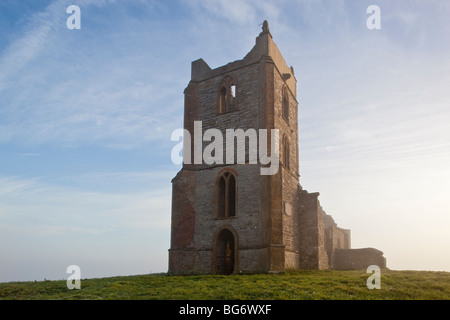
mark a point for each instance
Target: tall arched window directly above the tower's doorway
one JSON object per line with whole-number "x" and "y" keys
{"x": 226, "y": 195}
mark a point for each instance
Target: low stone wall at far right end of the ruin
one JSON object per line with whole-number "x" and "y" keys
{"x": 356, "y": 259}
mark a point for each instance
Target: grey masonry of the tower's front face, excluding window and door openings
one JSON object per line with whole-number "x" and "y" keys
{"x": 249, "y": 225}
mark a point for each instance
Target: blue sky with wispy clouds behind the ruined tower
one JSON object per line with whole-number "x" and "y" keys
{"x": 86, "y": 117}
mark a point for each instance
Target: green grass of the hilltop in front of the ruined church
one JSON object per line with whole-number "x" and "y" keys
{"x": 300, "y": 285}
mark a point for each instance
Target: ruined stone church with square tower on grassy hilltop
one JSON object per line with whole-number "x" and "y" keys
{"x": 229, "y": 218}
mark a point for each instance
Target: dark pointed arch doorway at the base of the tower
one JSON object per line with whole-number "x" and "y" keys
{"x": 225, "y": 253}
